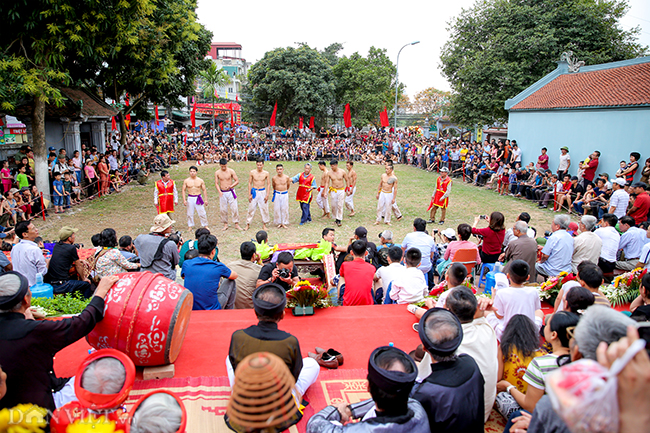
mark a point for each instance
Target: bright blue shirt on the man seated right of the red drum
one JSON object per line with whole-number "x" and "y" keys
{"x": 202, "y": 277}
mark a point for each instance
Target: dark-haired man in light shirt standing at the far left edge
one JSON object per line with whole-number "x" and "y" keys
{"x": 26, "y": 256}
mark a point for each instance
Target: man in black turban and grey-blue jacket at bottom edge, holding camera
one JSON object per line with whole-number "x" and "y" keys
{"x": 391, "y": 375}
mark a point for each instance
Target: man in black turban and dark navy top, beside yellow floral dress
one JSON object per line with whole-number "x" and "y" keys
{"x": 452, "y": 395}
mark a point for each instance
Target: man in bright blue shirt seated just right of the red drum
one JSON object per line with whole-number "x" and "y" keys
{"x": 203, "y": 277}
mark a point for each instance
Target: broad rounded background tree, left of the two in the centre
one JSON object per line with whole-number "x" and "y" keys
{"x": 299, "y": 79}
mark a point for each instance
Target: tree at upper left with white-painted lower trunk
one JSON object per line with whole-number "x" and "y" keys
{"x": 44, "y": 38}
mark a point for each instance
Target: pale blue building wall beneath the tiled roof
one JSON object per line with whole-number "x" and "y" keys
{"x": 613, "y": 132}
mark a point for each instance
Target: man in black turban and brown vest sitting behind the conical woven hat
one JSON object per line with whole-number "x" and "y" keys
{"x": 269, "y": 302}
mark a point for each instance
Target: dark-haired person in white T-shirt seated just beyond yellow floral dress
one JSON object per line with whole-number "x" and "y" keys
{"x": 516, "y": 299}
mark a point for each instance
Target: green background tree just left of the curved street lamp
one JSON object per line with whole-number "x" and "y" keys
{"x": 367, "y": 84}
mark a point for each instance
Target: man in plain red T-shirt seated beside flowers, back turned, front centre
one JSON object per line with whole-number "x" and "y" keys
{"x": 358, "y": 276}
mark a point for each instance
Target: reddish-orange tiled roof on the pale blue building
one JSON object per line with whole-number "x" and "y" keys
{"x": 616, "y": 87}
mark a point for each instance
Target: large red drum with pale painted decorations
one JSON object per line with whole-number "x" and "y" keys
{"x": 146, "y": 316}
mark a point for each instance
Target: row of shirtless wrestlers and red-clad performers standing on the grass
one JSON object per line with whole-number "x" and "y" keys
{"x": 333, "y": 193}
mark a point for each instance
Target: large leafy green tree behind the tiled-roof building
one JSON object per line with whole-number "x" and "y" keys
{"x": 500, "y": 47}
